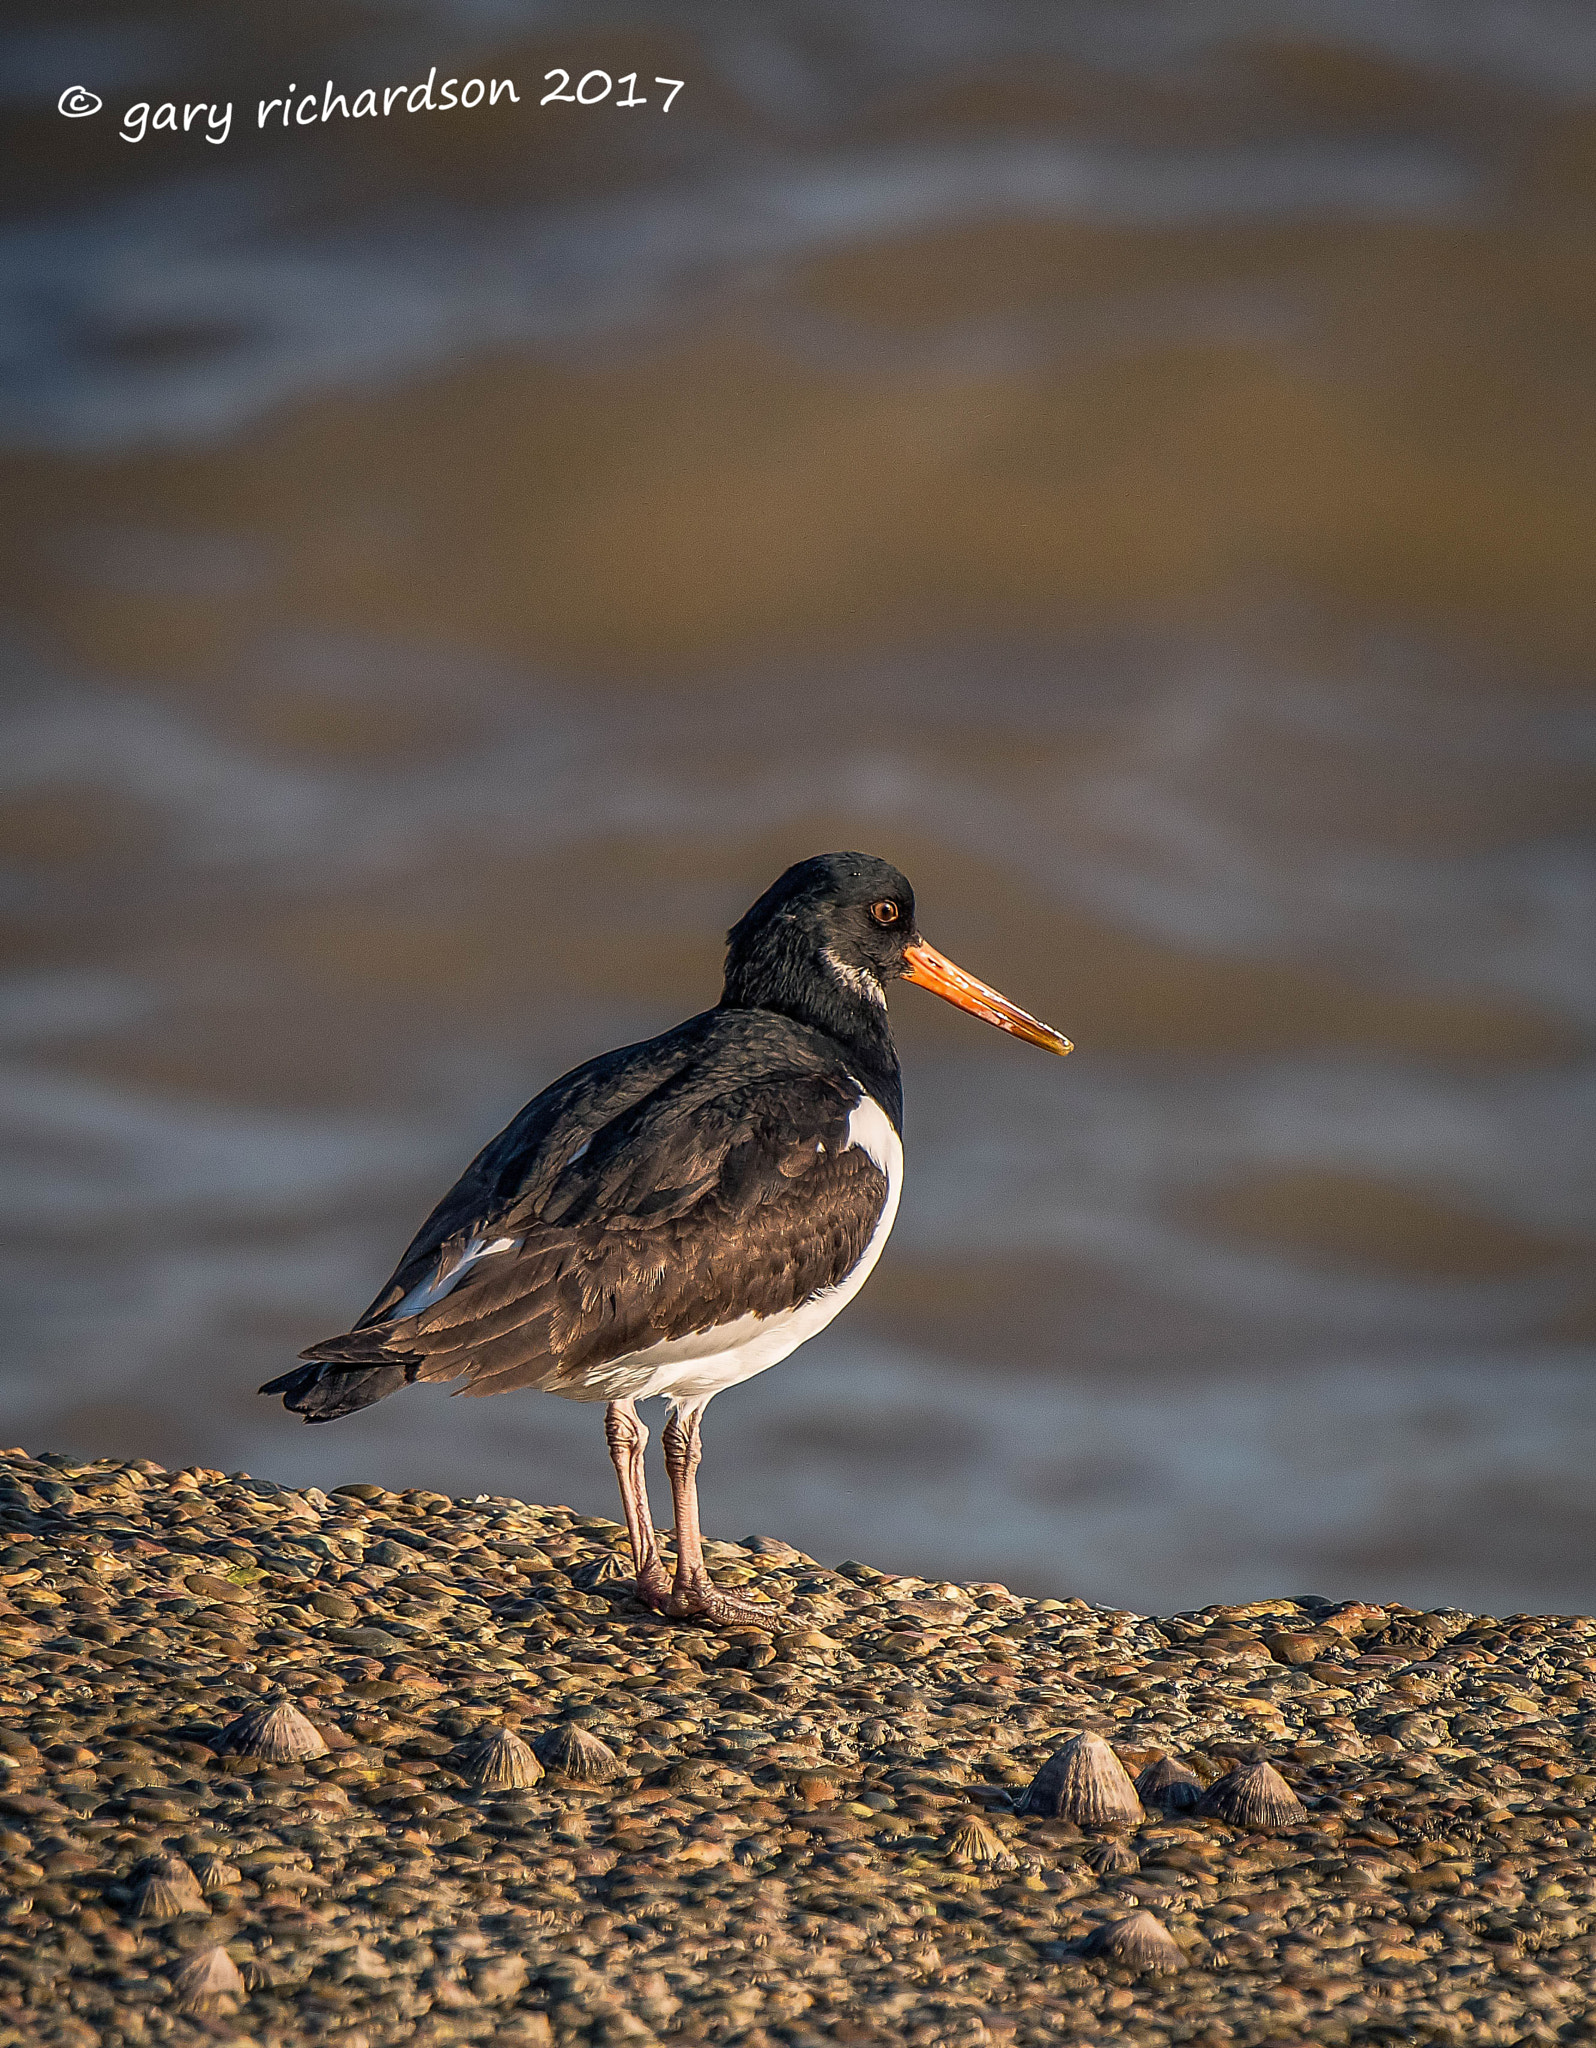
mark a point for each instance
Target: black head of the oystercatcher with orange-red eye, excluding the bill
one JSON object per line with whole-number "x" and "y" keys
{"x": 823, "y": 941}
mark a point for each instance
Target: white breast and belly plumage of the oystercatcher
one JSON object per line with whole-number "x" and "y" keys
{"x": 698, "y": 1367}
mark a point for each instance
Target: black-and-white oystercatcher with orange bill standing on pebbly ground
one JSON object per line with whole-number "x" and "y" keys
{"x": 675, "y": 1218}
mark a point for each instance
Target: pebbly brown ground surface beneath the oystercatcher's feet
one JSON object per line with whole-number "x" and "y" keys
{"x": 796, "y": 1838}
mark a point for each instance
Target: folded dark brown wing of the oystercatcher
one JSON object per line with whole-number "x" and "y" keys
{"x": 728, "y": 1189}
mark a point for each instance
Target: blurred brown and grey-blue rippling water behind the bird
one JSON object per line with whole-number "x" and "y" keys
{"x": 1130, "y": 464}
